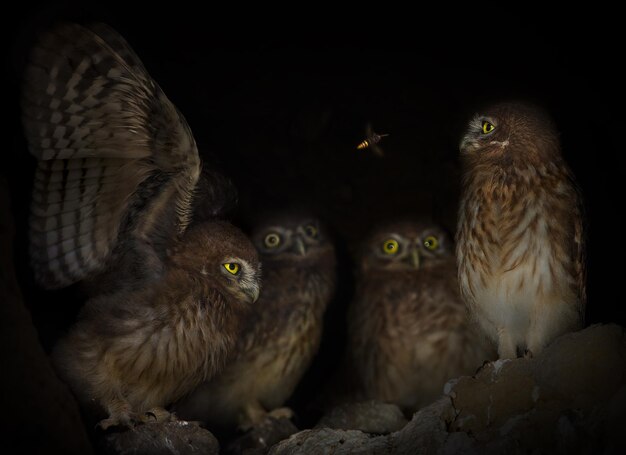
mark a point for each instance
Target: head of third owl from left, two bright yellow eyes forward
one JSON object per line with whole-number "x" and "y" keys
{"x": 406, "y": 246}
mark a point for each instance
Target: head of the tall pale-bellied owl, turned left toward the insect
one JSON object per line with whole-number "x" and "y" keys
{"x": 503, "y": 131}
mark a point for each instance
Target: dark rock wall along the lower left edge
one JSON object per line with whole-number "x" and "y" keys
{"x": 39, "y": 413}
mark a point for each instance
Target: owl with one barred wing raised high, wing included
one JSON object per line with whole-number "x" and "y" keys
{"x": 117, "y": 186}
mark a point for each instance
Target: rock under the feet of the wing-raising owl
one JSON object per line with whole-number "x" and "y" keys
{"x": 169, "y": 438}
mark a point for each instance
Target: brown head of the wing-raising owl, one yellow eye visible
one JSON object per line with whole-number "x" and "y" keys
{"x": 221, "y": 255}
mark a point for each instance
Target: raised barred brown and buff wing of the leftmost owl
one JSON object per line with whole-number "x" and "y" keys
{"x": 115, "y": 157}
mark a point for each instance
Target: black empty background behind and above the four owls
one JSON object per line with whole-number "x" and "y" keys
{"x": 280, "y": 105}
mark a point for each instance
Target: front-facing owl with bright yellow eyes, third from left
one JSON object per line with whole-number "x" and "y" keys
{"x": 408, "y": 328}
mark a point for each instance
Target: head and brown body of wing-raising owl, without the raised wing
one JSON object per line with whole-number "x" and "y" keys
{"x": 135, "y": 350}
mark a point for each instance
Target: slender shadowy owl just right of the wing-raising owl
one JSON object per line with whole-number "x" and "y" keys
{"x": 281, "y": 335}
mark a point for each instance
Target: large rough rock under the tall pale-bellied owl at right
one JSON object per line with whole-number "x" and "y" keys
{"x": 551, "y": 402}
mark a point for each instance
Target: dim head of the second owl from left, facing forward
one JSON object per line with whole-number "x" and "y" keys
{"x": 291, "y": 237}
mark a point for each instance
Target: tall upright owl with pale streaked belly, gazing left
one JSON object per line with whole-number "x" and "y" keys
{"x": 520, "y": 240}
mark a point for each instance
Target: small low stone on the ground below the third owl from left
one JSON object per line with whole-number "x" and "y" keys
{"x": 370, "y": 417}
